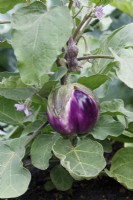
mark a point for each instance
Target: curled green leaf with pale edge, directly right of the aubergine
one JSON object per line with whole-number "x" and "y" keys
{"x": 115, "y": 107}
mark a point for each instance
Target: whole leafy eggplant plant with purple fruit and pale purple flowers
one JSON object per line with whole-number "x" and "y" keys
{"x": 56, "y": 108}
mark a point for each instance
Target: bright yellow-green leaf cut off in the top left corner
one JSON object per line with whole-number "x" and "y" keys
{"x": 6, "y": 5}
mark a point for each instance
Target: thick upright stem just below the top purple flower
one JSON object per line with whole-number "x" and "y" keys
{"x": 86, "y": 18}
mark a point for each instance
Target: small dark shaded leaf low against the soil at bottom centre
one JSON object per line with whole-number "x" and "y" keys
{"x": 61, "y": 178}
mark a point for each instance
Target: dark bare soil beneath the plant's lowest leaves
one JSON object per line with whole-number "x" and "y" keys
{"x": 102, "y": 188}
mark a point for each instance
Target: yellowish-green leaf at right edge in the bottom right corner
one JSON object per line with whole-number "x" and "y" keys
{"x": 122, "y": 167}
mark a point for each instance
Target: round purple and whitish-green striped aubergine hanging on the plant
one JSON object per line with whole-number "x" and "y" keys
{"x": 72, "y": 109}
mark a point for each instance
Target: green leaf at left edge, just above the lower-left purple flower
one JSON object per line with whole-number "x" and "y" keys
{"x": 13, "y": 88}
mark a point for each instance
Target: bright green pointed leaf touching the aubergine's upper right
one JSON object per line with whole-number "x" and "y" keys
{"x": 94, "y": 81}
